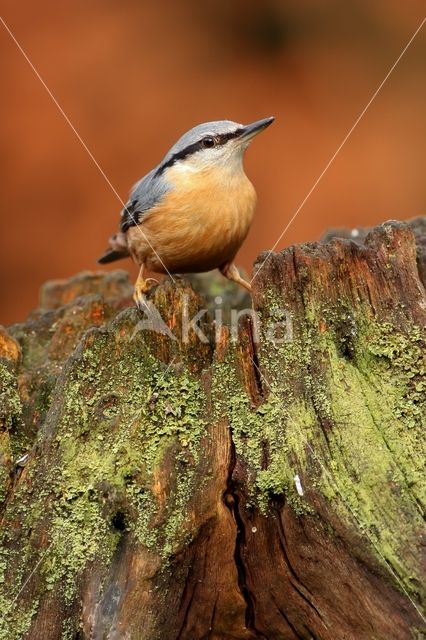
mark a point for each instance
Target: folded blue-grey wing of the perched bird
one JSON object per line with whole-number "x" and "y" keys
{"x": 144, "y": 195}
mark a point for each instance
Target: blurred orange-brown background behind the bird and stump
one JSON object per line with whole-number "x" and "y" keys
{"x": 133, "y": 76}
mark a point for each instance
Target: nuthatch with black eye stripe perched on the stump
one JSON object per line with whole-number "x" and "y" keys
{"x": 191, "y": 212}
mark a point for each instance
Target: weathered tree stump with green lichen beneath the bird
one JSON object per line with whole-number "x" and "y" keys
{"x": 158, "y": 487}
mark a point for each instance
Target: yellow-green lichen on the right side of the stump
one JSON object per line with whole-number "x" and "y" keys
{"x": 359, "y": 440}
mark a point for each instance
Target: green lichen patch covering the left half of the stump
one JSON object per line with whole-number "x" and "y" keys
{"x": 116, "y": 414}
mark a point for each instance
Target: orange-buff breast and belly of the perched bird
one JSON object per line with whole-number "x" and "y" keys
{"x": 199, "y": 225}
